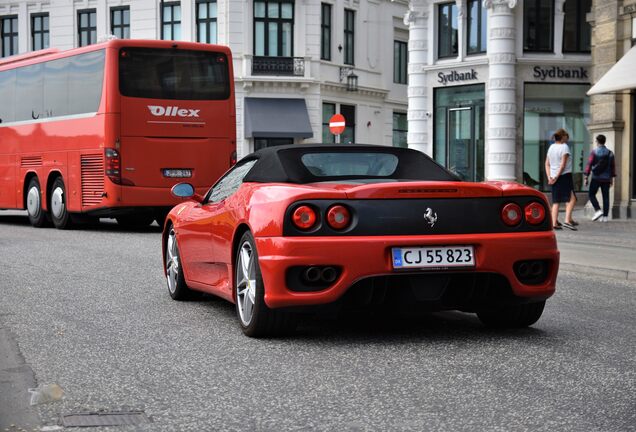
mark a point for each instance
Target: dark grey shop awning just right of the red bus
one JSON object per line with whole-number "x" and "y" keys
{"x": 276, "y": 118}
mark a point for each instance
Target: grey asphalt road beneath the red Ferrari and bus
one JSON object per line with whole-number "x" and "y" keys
{"x": 88, "y": 310}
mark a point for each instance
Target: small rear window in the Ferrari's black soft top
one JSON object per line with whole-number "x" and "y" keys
{"x": 350, "y": 164}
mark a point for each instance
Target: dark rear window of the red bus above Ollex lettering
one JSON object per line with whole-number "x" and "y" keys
{"x": 157, "y": 73}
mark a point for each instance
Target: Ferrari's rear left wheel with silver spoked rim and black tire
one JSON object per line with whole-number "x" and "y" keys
{"x": 262, "y": 321}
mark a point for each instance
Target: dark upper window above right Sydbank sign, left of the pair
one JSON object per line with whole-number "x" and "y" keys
{"x": 538, "y": 25}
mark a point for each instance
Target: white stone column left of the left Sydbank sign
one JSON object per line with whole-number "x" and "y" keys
{"x": 417, "y": 20}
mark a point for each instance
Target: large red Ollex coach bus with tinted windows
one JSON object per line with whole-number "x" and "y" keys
{"x": 107, "y": 130}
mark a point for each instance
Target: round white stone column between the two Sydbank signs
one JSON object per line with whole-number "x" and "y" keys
{"x": 501, "y": 110}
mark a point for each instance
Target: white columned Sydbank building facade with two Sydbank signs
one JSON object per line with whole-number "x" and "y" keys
{"x": 496, "y": 79}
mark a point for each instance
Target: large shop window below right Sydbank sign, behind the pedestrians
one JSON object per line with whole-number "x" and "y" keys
{"x": 548, "y": 107}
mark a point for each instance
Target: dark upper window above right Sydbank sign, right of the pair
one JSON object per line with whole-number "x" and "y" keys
{"x": 576, "y": 30}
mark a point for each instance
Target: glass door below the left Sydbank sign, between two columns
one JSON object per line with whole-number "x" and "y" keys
{"x": 461, "y": 143}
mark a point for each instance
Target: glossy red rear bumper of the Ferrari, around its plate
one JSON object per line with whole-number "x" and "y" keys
{"x": 364, "y": 257}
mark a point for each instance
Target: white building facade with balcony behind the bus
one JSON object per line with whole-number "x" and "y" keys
{"x": 293, "y": 60}
